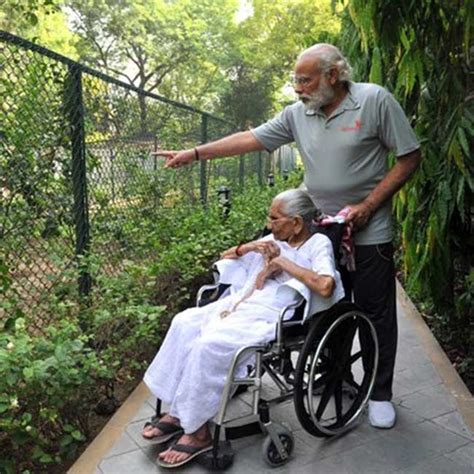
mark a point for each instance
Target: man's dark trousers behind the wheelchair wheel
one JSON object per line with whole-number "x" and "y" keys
{"x": 372, "y": 286}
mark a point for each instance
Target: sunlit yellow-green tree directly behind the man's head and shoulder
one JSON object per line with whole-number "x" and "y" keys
{"x": 265, "y": 49}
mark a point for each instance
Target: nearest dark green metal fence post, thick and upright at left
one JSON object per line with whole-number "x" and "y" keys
{"x": 75, "y": 114}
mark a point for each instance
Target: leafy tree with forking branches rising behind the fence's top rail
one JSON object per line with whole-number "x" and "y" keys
{"x": 156, "y": 45}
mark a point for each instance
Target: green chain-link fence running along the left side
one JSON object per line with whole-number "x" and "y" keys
{"x": 76, "y": 173}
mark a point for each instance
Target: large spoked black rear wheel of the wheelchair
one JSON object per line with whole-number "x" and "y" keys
{"x": 335, "y": 372}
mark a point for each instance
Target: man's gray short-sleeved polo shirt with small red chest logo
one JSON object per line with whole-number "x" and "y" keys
{"x": 345, "y": 155}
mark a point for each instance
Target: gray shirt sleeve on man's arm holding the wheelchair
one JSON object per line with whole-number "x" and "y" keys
{"x": 394, "y": 129}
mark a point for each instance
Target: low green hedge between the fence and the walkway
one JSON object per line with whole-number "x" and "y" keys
{"x": 51, "y": 382}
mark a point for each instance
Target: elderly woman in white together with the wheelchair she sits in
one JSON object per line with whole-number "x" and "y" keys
{"x": 208, "y": 349}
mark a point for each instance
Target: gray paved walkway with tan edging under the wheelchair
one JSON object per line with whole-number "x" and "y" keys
{"x": 431, "y": 436}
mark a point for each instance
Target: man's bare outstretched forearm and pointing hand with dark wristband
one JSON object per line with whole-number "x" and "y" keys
{"x": 236, "y": 144}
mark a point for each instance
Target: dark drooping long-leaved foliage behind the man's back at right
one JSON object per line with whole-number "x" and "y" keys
{"x": 434, "y": 209}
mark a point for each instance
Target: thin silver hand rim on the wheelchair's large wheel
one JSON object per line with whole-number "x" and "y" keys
{"x": 331, "y": 431}
